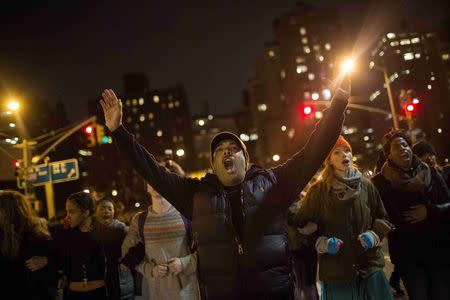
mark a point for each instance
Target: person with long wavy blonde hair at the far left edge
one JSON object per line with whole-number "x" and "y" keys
{"x": 23, "y": 248}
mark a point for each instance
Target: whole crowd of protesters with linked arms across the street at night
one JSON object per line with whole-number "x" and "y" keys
{"x": 244, "y": 232}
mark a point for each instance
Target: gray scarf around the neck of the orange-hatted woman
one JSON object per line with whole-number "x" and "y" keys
{"x": 347, "y": 187}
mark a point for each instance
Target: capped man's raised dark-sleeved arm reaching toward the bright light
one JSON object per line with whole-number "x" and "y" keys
{"x": 295, "y": 173}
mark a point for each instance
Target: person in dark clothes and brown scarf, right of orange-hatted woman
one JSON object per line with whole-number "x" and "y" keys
{"x": 418, "y": 206}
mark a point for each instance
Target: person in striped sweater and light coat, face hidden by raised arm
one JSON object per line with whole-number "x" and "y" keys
{"x": 169, "y": 267}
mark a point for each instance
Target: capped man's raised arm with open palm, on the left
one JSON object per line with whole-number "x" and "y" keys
{"x": 177, "y": 190}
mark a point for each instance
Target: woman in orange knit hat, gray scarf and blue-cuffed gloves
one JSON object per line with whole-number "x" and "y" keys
{"x": 351, "y": 223}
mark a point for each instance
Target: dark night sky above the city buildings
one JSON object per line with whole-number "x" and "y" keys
{"x": 70, "y": 50}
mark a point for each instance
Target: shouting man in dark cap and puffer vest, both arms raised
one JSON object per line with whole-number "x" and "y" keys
{"x": 237, "y": 212}
